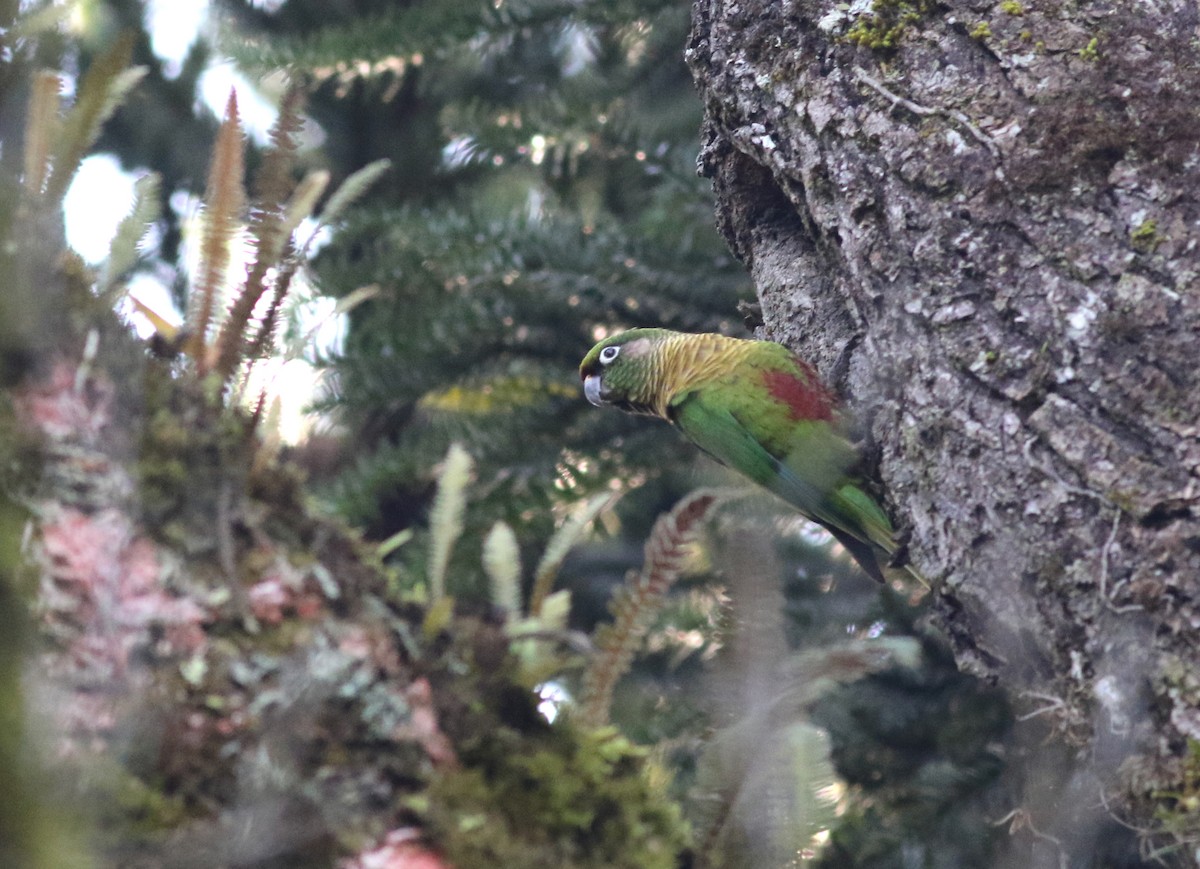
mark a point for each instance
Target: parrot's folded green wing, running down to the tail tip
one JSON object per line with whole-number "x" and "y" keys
{"x": 825, "y": 496}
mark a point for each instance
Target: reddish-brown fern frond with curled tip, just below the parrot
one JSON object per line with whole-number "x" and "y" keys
{"x": 635, "y": 604}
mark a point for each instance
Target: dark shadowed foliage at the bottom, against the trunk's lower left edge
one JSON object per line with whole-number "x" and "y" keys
{"x": 920, "y": 746}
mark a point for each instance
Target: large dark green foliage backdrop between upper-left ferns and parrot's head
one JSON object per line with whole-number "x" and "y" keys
{"x": 544, "y": 189}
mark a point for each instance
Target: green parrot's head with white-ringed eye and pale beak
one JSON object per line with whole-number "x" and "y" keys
{"x": 620, "y": 370}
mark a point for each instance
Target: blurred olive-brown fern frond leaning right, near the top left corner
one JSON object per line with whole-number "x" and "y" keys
{"x": 103, "y": 89}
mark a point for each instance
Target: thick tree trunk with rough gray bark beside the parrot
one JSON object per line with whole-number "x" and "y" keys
{"x": 987, "y": 236}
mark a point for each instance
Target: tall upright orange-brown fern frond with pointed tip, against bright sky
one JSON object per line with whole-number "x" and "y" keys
{"x": 224, "y": 200}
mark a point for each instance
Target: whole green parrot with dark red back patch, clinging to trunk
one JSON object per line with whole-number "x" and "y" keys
{"x": 757, "y": 407}
